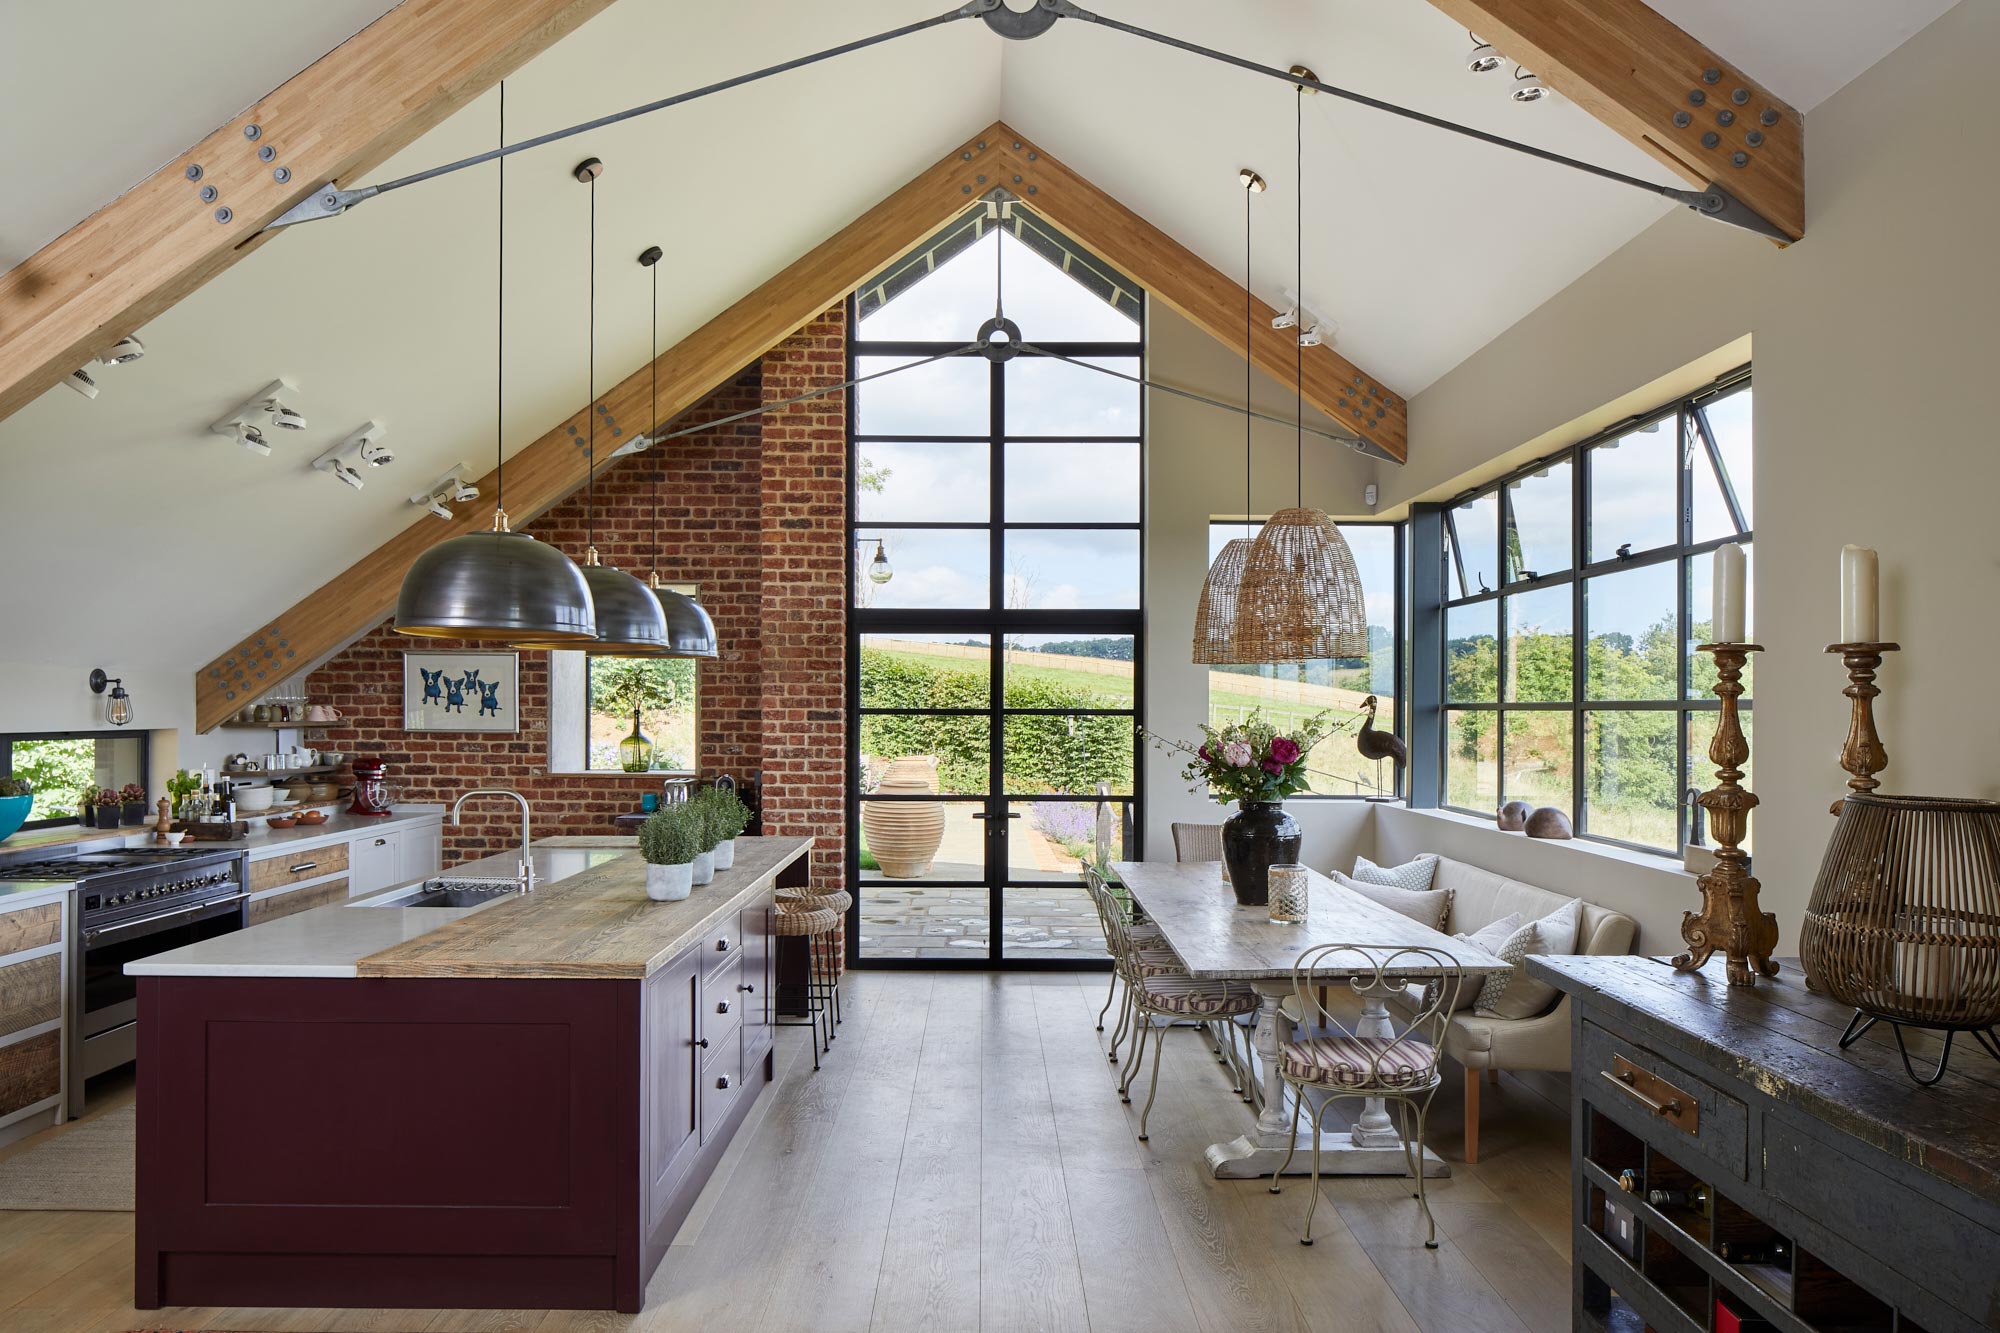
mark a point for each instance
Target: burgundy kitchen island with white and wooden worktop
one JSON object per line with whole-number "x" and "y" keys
{"x": 511, "y": 1106}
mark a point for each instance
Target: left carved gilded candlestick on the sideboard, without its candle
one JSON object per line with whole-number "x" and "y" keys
{"x": 1731, "y": 918}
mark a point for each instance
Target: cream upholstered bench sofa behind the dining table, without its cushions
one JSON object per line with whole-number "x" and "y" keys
{"x": 1487, "y": 1042}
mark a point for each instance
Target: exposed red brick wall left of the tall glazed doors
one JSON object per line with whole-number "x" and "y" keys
{"x": 767, "y": 551}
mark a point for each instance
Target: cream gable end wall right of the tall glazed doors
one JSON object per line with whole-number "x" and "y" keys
{"x": 1195, "y": 471}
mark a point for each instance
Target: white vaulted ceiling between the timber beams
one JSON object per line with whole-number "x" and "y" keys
{"x": 1419, "y": 249}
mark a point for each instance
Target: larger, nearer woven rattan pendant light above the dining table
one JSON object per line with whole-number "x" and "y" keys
{"x": 1301, "y": 595}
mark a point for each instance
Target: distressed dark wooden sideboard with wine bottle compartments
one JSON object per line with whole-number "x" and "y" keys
{"x": 1731, "y": 1164}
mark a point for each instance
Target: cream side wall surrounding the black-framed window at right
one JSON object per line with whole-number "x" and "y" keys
{"x": 1875, "y": 423}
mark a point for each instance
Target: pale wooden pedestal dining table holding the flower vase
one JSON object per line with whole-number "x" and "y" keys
{"x": 1219, "y": 940}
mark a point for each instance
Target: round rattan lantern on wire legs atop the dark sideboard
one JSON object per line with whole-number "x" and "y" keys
{"x": 1905, "y": 920}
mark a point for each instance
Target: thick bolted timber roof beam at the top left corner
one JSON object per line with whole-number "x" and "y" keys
{"x": 333, "y": 121}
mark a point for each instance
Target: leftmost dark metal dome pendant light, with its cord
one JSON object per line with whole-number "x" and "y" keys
{"x": 497, "y": 585}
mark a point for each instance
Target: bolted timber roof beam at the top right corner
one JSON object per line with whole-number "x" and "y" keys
{"x": 1663, "y": 91}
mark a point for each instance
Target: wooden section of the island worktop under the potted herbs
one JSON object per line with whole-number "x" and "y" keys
{"x": 597, "y": 924}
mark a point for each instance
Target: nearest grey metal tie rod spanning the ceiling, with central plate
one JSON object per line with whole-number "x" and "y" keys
{"x": 1025, "y": 25}
